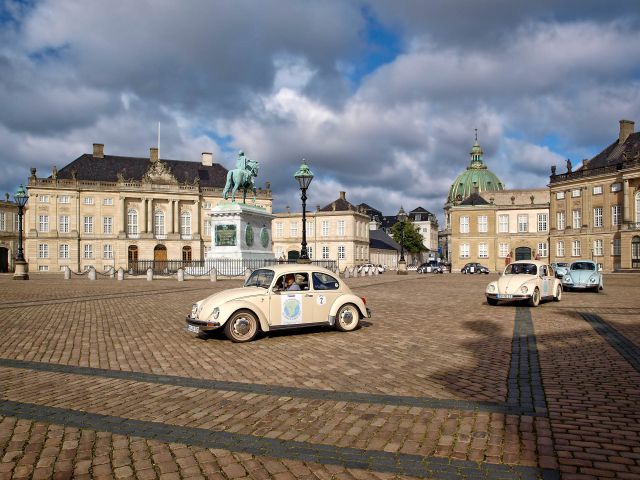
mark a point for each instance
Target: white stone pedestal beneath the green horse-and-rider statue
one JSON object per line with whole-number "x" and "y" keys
{"x": 240, "y": 232}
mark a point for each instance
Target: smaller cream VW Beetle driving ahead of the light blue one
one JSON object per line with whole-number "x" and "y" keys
{"x": 529, "y": 280}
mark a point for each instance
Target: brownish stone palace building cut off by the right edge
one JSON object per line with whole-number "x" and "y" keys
{"x": 595, "y": 209}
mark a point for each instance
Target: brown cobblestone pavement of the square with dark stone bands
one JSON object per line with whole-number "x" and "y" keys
{"x": 99, "y": 380}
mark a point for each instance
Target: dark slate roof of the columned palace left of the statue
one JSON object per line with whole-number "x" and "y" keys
{"x": 106, "y": 169}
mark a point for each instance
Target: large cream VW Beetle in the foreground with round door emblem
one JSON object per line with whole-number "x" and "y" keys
{"x": 279, "y": 297}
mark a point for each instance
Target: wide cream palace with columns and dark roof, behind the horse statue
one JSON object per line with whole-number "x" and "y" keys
{"x": 107, "y": 211}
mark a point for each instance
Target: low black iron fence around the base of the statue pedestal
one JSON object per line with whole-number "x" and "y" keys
{"x": 223, "y": 266}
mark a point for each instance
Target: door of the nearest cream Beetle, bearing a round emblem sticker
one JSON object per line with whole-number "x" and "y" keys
{"x": 291, "y": 307}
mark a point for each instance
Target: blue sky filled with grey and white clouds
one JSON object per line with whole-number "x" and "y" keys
{"x": 381, "y": 97}
